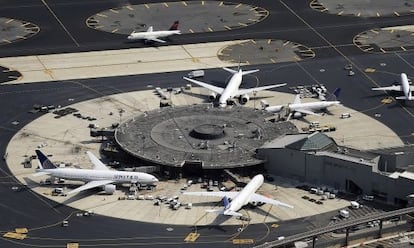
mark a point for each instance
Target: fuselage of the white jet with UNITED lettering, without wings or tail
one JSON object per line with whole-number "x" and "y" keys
{"x": 87, "y": 175}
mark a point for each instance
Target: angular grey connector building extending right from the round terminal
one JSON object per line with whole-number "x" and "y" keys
{"x": 386, "y": 174}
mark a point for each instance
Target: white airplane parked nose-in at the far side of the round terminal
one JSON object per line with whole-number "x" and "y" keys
{"x": 232, "y": 89}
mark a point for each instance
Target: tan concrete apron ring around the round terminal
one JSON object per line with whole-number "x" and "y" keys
{"x": 67, "y": 139}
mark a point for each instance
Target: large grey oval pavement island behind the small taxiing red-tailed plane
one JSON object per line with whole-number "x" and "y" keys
{"x": 193, "y": 16}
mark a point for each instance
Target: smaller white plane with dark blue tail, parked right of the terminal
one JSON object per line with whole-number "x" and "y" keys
{"x": 298, "y": 109}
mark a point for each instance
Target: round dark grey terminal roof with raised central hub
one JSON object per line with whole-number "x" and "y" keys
{"x": 214, "y": 138}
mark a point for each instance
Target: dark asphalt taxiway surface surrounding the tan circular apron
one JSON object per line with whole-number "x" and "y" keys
{"x": 63, "y": 29}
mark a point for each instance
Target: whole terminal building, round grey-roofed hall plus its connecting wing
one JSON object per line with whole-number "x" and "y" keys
{"x": 199, "y": 138}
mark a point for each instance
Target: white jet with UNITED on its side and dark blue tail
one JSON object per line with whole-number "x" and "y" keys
{"x": 99, "y": 176}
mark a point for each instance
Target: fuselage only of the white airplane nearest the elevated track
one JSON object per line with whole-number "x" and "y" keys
{"x": 244, "y": 196}
